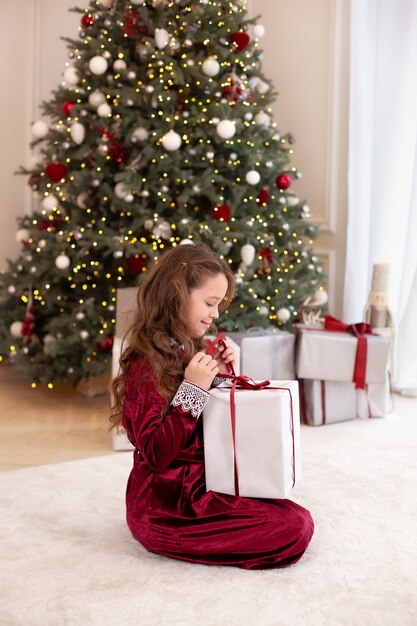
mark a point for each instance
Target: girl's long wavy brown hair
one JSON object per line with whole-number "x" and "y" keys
{"x": 159, "y": 332}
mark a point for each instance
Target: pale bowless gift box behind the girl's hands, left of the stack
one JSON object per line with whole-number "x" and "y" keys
{"x": 269, "y": 356}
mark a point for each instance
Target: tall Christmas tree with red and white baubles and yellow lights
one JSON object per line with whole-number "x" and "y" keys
{"x": 160, "y": 134}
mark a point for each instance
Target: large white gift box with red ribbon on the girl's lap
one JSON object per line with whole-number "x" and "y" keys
{"x": 267, "y": 440}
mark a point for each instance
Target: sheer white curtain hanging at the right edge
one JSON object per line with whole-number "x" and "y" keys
{"x": 382, "y": 222}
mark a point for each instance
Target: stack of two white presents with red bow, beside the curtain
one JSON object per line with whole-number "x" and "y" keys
{"x": 342, "y": 371}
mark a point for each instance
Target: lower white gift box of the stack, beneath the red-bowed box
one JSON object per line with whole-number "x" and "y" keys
{"x": 326, "y": 402}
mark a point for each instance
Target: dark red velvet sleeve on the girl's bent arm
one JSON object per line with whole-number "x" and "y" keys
{"x": 159, "y": 440}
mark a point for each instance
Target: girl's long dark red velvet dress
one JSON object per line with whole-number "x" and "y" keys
{"x": 168, "y": 509}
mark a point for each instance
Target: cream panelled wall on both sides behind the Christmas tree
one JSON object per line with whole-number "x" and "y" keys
{"x": 305, "y": 54}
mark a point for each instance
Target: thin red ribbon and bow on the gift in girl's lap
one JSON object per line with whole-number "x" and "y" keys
{"x": 245, "y": 382}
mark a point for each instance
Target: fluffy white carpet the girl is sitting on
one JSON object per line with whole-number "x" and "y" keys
{"x": 67, "y": 557}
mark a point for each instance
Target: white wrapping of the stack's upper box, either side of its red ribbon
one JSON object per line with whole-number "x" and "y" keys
{"x": 329, "y": 355}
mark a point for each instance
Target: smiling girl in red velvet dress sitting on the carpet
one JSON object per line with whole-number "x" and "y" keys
{"x": 163, "y": 386}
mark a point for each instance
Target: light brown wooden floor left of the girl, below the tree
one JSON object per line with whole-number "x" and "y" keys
{"x": 41, "y": 426}
